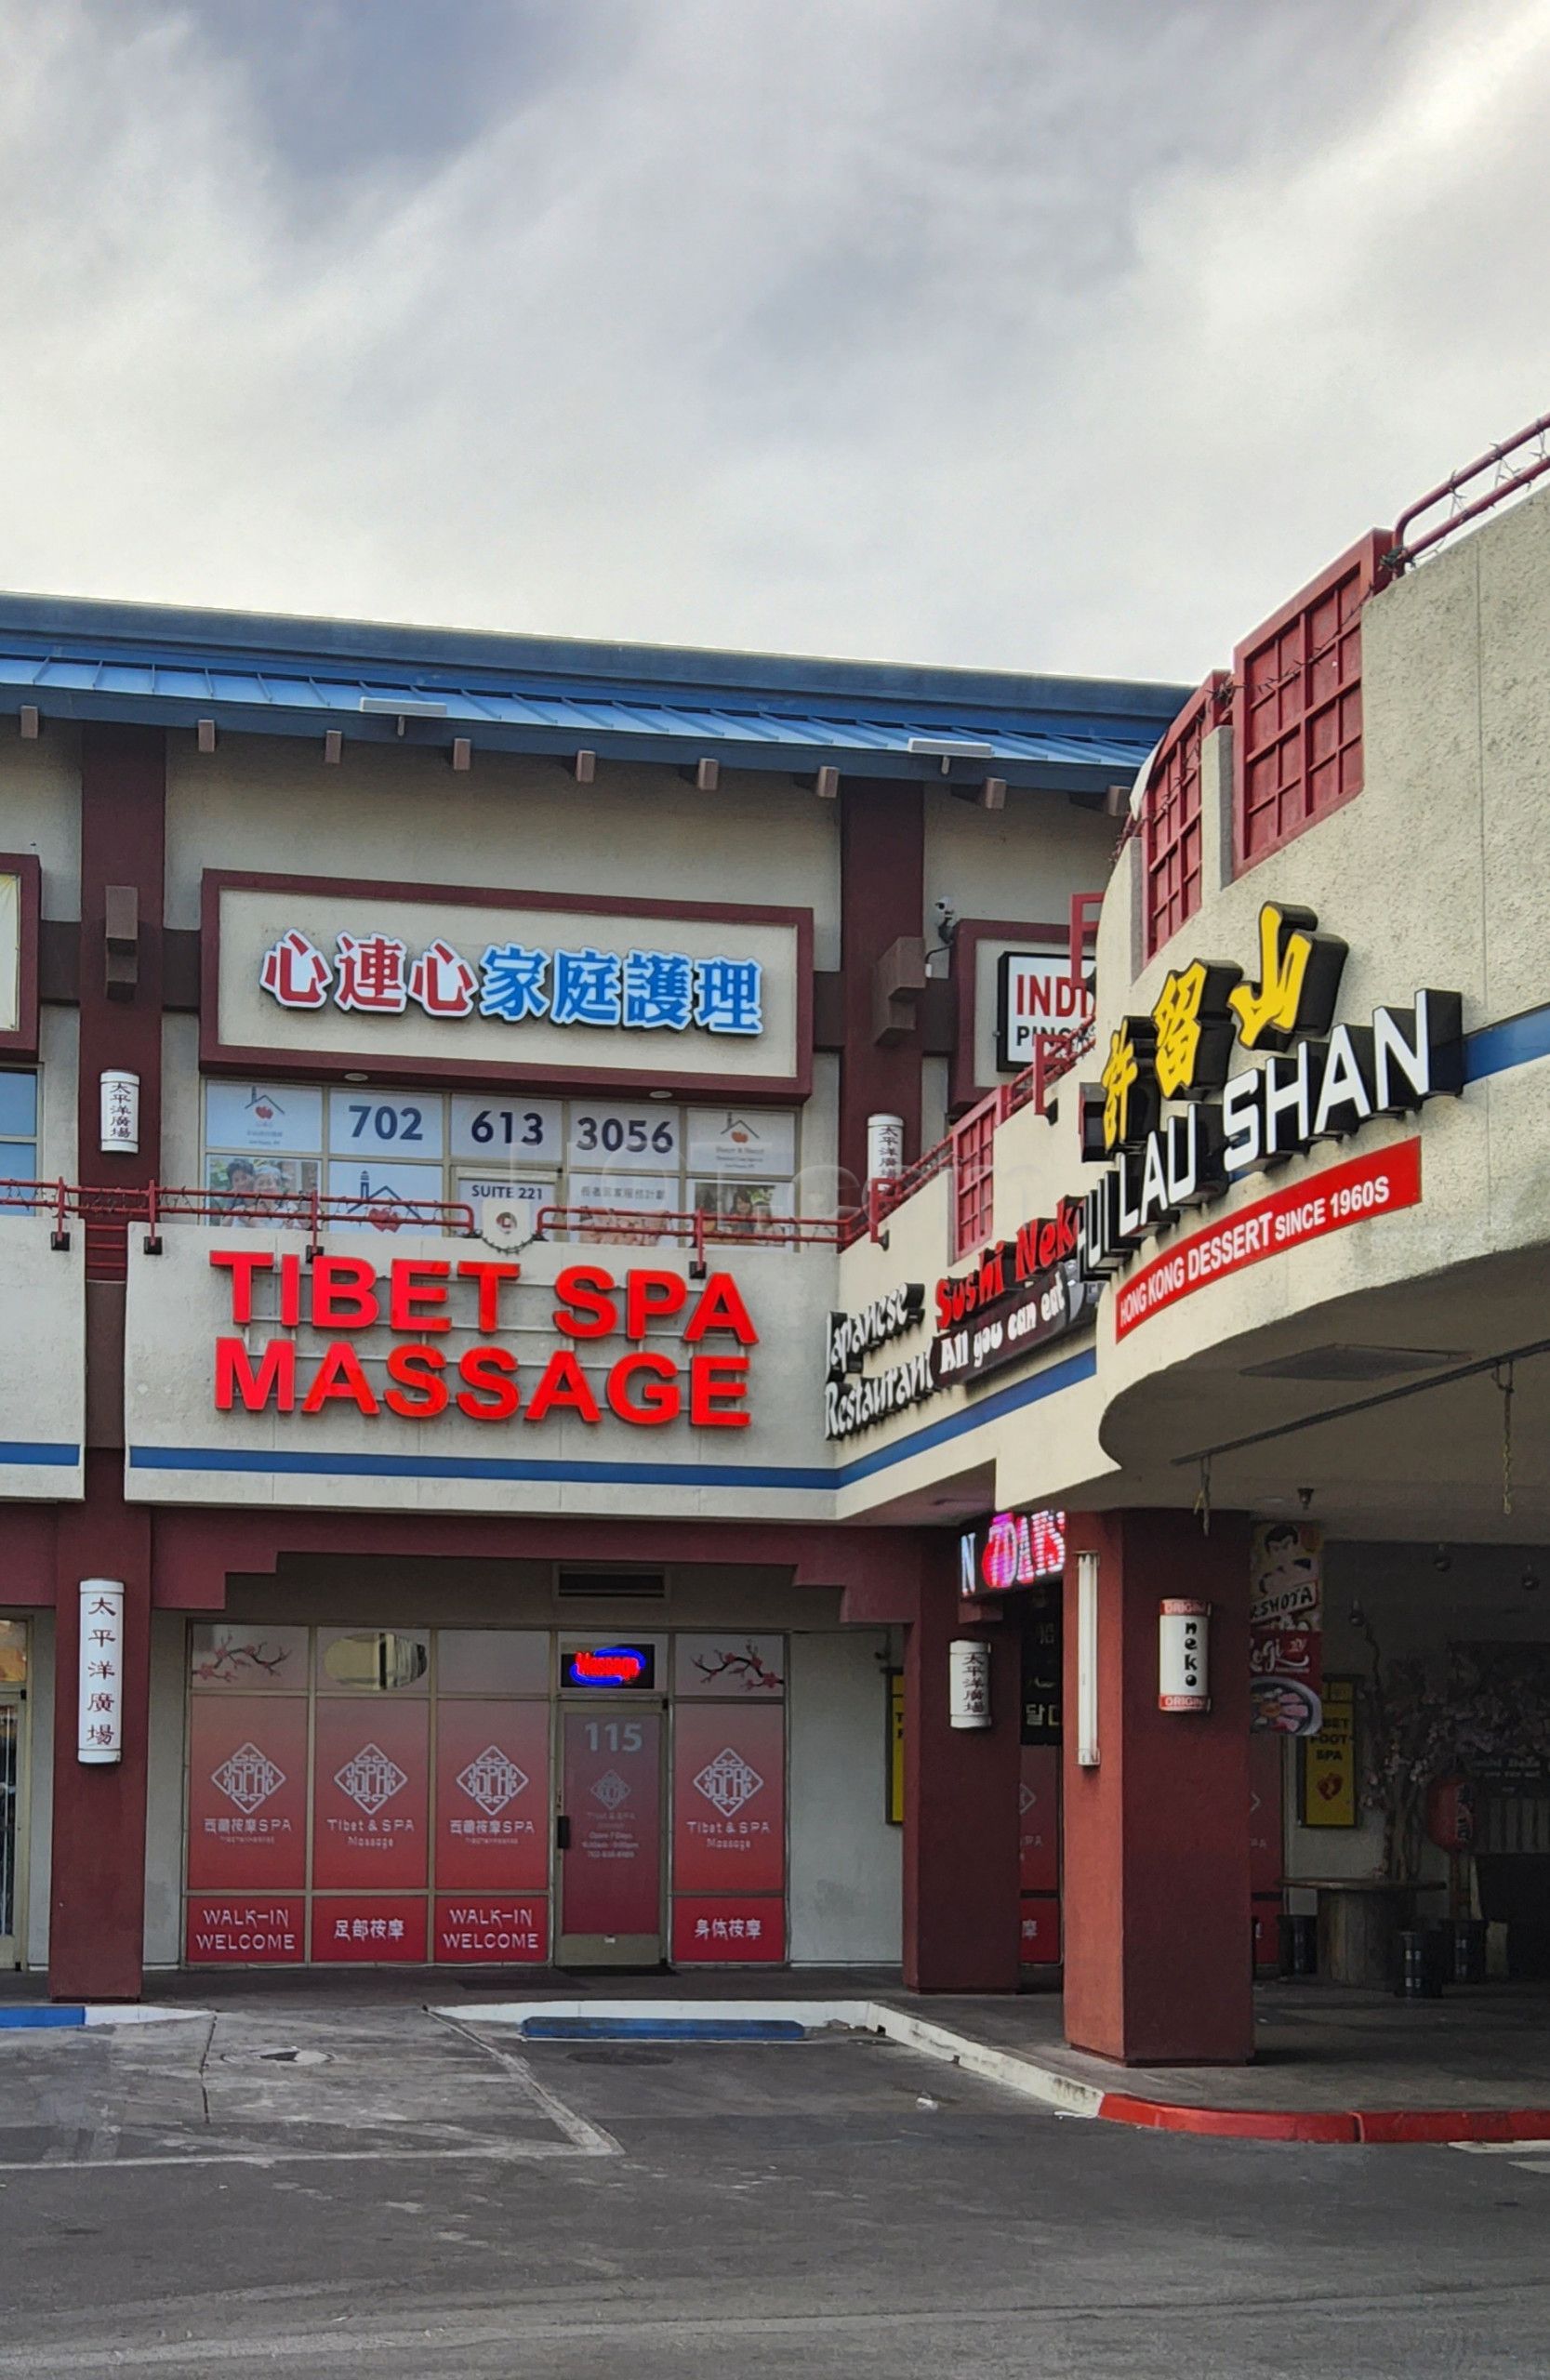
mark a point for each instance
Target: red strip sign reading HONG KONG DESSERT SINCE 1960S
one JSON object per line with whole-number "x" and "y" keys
{"x": 1308, "y": 1210}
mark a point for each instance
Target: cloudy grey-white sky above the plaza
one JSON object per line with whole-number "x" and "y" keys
{"x": 1037, "y": 334}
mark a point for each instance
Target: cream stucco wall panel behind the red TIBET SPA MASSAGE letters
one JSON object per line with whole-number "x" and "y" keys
{"x": 180, "y": 1305}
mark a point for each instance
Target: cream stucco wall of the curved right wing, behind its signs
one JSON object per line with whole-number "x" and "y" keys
{"x": 1435, "y": 877}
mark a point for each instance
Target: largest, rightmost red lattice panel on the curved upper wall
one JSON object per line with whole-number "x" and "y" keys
{"x": 1299, "y": 706}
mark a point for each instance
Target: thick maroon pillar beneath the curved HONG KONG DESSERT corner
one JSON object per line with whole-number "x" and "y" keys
{"x": 1156, "y": 1836}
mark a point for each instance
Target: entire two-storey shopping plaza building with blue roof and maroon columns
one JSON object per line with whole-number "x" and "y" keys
{"x": 689, "y": 1310}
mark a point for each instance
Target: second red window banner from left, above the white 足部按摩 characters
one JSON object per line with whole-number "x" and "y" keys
{"x": 370, "y": 1798}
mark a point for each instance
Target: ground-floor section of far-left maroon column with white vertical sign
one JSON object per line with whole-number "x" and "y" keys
{"x": 96, "y": 1919}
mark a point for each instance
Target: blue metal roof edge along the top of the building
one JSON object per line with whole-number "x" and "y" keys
{"x": 523, "y": 694}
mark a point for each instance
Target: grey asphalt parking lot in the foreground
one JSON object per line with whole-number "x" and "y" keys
{"x": 380, "y": 2191}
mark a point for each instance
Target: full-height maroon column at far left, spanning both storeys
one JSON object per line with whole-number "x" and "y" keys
{"x": 99, "y": 1834}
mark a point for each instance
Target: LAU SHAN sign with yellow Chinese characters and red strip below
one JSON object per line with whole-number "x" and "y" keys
{"x": 1320, "y": 1082}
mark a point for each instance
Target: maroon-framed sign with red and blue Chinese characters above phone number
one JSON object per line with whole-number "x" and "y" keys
{"x": 475, "y": 984}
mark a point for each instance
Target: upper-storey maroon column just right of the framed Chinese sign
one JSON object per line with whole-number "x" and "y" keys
{"x": 882, "y": 898}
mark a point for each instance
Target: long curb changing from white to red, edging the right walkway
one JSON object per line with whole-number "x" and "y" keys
{"x": 1027, "y": 2077}
